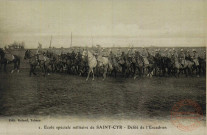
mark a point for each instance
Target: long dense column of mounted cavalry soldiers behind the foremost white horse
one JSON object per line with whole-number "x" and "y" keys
{"x": 129, "y": 63}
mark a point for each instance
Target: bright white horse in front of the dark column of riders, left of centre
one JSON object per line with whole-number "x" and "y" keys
{"x": 93, "y": 62}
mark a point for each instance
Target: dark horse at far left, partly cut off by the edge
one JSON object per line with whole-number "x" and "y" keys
{"x": 7, "y": 58}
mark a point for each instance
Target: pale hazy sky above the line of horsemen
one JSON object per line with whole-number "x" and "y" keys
{"x": 105, "y": 22}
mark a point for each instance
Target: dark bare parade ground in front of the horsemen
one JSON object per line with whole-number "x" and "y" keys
{"x": 61, "y": 94}
